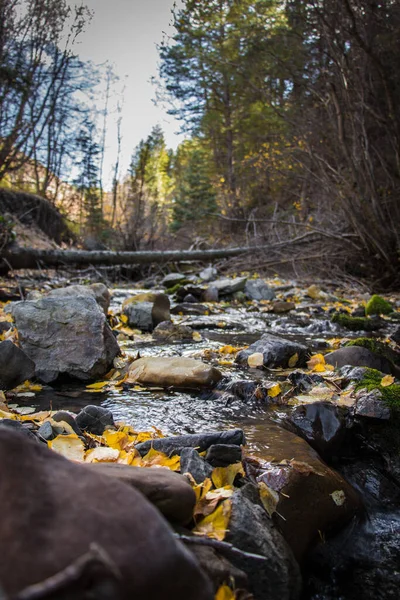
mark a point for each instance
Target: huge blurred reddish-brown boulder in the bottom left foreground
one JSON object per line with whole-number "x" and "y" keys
{"x": 53, "y": 511}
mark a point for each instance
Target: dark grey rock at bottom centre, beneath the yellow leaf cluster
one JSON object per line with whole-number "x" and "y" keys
{"x": 250, "y": 529}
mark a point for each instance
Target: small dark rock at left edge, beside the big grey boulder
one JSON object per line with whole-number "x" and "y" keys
{"x": 15, "y": 366}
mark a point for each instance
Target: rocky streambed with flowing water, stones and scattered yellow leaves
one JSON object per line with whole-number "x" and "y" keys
{"x": 302, "y": 380}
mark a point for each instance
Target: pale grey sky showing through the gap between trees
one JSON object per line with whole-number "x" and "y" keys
{"x": 125, "y": 33}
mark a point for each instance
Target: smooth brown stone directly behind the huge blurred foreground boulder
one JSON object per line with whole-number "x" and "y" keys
{"x": 169, "y": 492}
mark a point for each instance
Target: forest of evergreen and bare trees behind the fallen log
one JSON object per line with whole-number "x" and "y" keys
{"x": 292, "y": 131}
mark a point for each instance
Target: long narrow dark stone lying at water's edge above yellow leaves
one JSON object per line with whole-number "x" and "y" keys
{"x": 200, "y": 441}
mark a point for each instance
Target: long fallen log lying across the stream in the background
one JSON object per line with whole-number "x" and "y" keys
{"x": 30, "y": 258}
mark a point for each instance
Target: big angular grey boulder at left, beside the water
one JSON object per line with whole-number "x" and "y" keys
{"x": 67, "y": 335}
